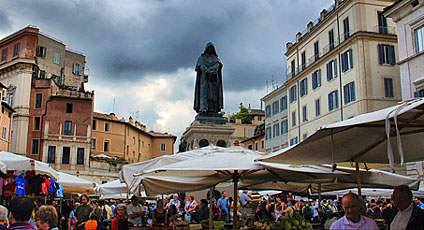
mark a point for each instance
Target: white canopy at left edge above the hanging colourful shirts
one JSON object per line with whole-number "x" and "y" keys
{"x": 18, "y": 162}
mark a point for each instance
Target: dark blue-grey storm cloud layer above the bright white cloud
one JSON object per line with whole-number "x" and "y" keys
{"x": 127, "y": 41}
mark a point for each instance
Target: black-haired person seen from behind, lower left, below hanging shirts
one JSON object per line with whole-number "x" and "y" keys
{"x": 20, "y": 211}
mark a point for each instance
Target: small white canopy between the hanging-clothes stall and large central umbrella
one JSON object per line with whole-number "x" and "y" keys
{"x": 74, "y": 184}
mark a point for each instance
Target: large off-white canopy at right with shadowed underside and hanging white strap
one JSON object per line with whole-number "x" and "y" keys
{"x": 364, "y": 138}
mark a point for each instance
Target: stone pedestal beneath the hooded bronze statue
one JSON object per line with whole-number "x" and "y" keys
{"x": 201, "y": 134}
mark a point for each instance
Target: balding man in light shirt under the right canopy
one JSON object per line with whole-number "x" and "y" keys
{"x": 353, "y": 219}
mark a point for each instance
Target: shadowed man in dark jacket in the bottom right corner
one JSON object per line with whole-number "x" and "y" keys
{"x": 408, "y": 216}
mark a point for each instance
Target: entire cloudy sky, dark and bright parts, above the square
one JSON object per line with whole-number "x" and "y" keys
{"x": 141, "y": 54}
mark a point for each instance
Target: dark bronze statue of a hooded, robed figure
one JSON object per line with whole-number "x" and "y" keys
{"x": 208, "y": 95}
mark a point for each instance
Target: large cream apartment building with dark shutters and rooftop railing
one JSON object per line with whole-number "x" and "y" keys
{"x": 342, "y": 65}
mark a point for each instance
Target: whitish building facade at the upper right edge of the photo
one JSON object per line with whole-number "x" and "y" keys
{"x": 409, "y": 18}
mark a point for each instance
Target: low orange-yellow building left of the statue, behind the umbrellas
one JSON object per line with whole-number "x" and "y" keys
{"x": 128, "y": 139}
